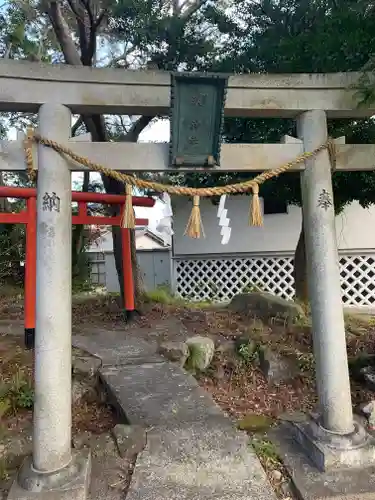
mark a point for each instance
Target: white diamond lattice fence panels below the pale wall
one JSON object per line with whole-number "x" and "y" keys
{"x": 220, "y": 279}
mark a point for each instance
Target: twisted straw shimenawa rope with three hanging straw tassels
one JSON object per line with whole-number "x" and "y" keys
{"x": 194, "y": 228}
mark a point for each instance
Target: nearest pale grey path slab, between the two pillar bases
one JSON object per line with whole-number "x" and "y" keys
{"x": 197, "y": 462}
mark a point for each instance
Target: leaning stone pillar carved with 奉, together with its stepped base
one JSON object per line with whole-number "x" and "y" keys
{"x": 332, "y": 438}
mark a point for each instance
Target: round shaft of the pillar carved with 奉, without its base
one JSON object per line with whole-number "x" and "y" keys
{"x": 324, "y": 279}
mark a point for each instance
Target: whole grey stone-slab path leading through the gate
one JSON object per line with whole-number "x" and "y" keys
{"x": 193, "y": 452}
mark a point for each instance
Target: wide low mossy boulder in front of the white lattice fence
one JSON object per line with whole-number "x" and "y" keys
{"x": 267, "y": 307}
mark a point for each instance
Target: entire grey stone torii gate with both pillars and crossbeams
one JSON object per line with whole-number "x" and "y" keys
{"x": 333, "y": 438}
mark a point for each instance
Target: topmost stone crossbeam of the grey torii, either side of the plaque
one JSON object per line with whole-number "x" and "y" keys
{"x": 24, "y": 87}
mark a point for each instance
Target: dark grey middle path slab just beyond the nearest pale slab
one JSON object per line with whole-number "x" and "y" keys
{"x": 159, "y": 394}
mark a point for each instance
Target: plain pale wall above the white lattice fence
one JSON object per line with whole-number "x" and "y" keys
{"x": 279, "y": 233}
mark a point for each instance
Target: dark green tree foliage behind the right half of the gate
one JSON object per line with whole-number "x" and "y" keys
{"x": 308, "y": 37}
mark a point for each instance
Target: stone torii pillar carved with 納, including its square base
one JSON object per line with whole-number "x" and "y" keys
{"x": 53, "y": 472}
